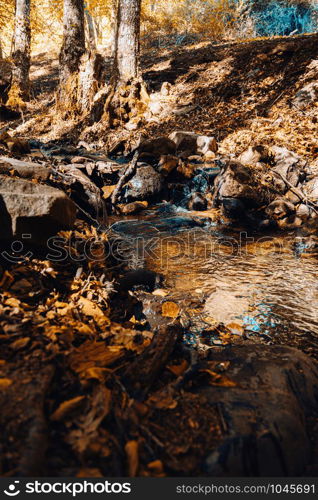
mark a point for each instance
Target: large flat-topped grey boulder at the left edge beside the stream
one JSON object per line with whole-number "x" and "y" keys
{"x": 32, "y": 211}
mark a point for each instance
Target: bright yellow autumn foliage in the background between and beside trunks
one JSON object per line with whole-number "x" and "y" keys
{"x": 162, "y": 22}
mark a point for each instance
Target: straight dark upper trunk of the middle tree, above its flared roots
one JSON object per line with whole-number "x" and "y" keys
{"x": 73, "y": 39}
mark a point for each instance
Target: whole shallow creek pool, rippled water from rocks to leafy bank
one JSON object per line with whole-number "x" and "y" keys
{"x": 263, "y": 285}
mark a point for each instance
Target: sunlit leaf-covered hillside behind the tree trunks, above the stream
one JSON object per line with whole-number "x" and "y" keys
{"x": 241, "y": 93}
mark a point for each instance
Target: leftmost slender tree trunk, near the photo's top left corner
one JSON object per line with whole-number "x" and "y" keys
{"x": 20, "y": 84}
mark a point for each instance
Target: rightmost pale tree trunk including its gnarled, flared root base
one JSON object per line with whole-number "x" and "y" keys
{"x": 124, "y": 102}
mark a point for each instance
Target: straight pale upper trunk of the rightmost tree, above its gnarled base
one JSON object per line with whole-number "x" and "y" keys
{"x": 128, "y": 39}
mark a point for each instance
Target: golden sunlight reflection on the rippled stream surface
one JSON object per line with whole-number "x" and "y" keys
{"x": 261, "y": 284}
